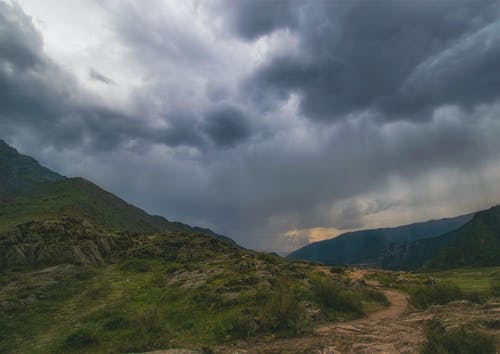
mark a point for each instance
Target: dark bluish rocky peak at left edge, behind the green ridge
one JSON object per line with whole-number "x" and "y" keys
{"x": 20, "y": 173}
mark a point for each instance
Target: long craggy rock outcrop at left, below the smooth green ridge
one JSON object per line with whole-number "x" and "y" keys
{"x": 70, "y": 240}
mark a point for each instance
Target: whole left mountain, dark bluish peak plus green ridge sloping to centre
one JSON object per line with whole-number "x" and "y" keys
{"x": 34, "y": 193}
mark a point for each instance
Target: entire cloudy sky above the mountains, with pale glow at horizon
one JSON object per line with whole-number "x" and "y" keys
{"x": 277, "y": 123}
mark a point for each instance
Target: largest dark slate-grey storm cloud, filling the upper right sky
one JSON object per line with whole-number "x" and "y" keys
{"x": 400, "y": 59}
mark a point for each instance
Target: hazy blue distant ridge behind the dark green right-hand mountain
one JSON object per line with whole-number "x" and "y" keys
{"x": 369, "y": 246}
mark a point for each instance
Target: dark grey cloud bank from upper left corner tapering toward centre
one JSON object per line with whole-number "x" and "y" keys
{"x": 37, "y": 94}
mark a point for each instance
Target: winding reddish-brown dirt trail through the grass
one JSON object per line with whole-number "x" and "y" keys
{"x": 383, "y": 331}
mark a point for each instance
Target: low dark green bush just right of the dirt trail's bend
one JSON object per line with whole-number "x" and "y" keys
{"x": 423, "y": 296}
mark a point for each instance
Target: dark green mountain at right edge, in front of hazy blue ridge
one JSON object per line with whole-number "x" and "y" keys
{"x": 475, "y": 244}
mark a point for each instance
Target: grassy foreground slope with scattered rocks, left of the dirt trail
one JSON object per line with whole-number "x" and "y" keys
{"x": 178, "y": 290}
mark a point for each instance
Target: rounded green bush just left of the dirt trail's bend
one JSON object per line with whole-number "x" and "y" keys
{"x": 330, "y": 296}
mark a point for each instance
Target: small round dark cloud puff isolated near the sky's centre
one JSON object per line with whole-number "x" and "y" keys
{"x": 227, "y": 126}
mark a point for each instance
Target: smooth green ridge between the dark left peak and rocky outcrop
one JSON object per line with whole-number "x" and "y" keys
{"x": 78, "y": 197}
